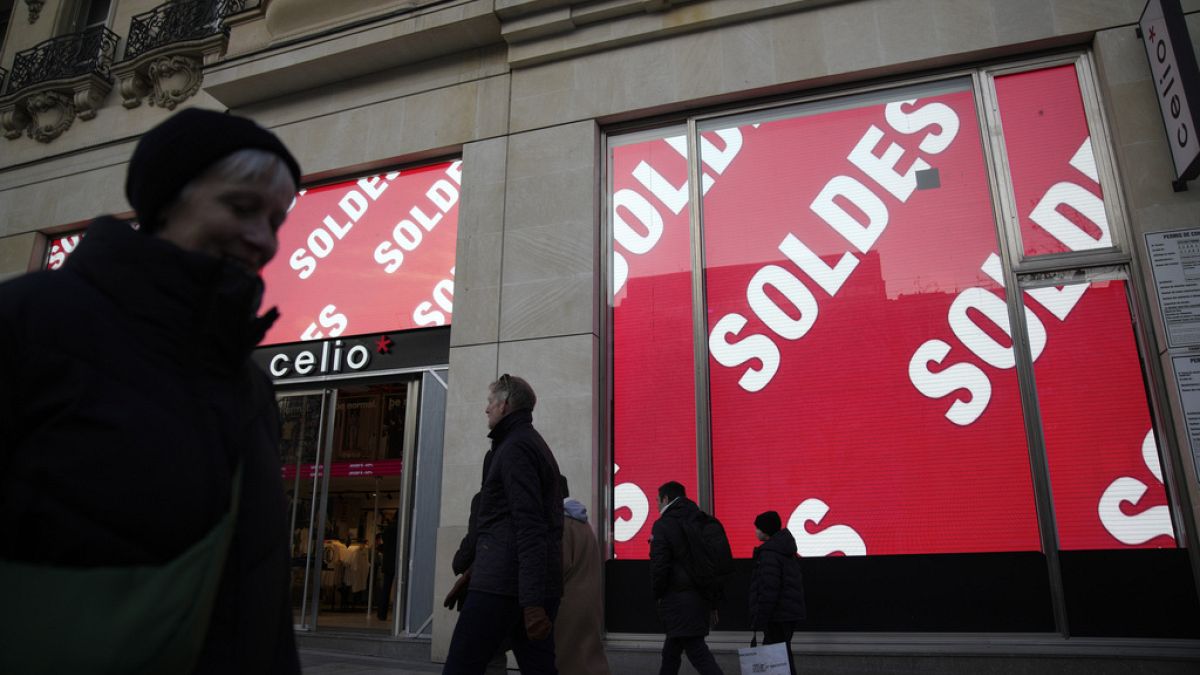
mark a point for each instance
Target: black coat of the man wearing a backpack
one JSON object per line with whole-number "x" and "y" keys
{"x": 683, "y": 610}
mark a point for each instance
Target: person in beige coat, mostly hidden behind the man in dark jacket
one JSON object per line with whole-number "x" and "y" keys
{"x": 579, "y": 649}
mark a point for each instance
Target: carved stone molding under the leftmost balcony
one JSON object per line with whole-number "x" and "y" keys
{"x": 45, "y": 111}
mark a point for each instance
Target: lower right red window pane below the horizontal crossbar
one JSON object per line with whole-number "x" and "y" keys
{"x": 1105, "y": 465}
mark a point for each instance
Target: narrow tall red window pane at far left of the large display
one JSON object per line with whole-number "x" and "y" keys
{"x": 653, "y": 373}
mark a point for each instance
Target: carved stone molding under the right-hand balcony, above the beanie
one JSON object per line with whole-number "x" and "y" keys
{"x": 169, "y": 75}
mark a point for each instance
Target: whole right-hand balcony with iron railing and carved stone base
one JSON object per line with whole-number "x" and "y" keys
{"x": 170, "y": 46}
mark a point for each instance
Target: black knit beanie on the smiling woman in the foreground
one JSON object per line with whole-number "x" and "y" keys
{"x": 182, "y": 148}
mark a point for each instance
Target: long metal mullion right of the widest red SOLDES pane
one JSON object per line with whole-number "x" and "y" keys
{"x": 1011, "y": 248}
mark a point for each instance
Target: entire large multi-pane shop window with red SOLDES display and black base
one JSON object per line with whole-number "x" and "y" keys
{"x": 861, "y": 373}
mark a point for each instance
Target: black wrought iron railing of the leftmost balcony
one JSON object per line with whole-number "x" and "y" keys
{"x": 68, "y": 56}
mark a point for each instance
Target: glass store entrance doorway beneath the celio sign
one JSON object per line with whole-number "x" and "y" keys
{"x": 345, "y": 455}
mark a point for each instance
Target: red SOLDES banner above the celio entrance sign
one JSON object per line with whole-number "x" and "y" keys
{"x": 368, "y": 256}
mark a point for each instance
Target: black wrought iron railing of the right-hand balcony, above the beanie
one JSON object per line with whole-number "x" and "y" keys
{"x": 179, "y": 21}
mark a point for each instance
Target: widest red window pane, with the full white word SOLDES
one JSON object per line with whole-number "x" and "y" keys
{"x": 862, "y": 377}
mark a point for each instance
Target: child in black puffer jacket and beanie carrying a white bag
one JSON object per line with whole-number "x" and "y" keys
{"x": 777, "y": 589}
